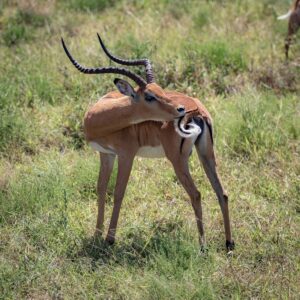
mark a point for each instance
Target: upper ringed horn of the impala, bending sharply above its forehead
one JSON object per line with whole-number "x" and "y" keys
{"x": 135, "y": 62}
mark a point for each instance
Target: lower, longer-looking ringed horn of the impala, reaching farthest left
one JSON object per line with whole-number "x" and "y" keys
{"x": 139, "y": 80}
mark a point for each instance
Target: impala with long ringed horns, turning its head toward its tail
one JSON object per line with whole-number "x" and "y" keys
{"x": 149, "y": 122}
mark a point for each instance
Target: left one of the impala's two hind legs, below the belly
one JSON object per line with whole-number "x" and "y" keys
{"x": 181, "y": 168}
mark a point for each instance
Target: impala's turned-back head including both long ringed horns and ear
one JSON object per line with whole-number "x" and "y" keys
{"x": 150, "y": 99}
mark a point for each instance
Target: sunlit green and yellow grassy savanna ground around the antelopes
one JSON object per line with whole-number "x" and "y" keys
{"x": 227, "y": 53}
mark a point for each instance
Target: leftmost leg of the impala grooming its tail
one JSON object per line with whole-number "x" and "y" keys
{"x": 106, "y": 167}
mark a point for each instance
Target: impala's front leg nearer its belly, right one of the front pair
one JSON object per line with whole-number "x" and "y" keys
{"x": 124, "y": 169}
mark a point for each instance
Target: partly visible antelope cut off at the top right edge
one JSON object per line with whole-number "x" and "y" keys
{"x": 294, "y": 24}
